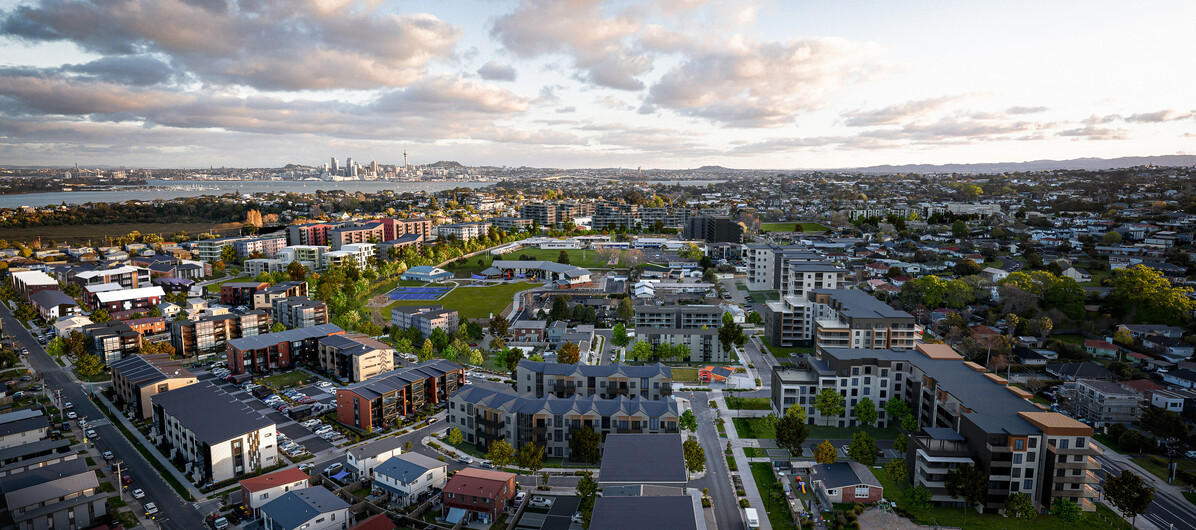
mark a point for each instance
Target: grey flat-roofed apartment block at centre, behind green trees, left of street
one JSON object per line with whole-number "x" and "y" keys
{"x": 694, "y": 326}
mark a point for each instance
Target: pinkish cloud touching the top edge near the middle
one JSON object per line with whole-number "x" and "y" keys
{"x": 601, "y": 46}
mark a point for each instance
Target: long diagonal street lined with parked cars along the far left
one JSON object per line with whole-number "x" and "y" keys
{"x": 175, "y": 513}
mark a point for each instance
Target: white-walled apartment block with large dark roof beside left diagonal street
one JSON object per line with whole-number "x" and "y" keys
{"x": 219, "y": 437}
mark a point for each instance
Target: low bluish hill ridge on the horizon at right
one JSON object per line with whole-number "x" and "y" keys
{"x": 1035, "y": 166}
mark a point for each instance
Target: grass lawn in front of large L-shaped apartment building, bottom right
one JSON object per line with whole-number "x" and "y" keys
{"x": 944, "y": 516}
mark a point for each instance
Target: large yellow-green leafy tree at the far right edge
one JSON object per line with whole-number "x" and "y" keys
{"x": 1149, "y": 296}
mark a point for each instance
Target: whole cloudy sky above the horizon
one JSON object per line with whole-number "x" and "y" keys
{"x": 672, "y": 84}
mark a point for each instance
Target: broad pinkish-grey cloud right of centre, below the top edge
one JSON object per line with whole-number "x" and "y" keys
{"x": 761, "y": 84}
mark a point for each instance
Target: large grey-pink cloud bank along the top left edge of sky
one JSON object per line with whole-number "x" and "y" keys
{"x": 271, "y": 45}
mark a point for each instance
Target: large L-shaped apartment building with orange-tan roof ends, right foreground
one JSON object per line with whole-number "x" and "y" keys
{"x": 965, "y": 416}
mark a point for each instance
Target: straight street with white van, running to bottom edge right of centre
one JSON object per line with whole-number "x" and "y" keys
{"x": 724, "y": 501}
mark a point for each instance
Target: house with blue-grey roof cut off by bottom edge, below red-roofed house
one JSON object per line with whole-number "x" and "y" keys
{"x": 309, "y": 509}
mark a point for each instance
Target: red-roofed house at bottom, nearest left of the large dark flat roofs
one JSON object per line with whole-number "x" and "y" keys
{"x": 478, "y": 495}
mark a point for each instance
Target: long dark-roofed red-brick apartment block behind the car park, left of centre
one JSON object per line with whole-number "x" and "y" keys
{"x": 277, "y": 351}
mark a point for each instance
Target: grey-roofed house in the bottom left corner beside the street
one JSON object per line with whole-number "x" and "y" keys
{"x": 65, "y": 495}
